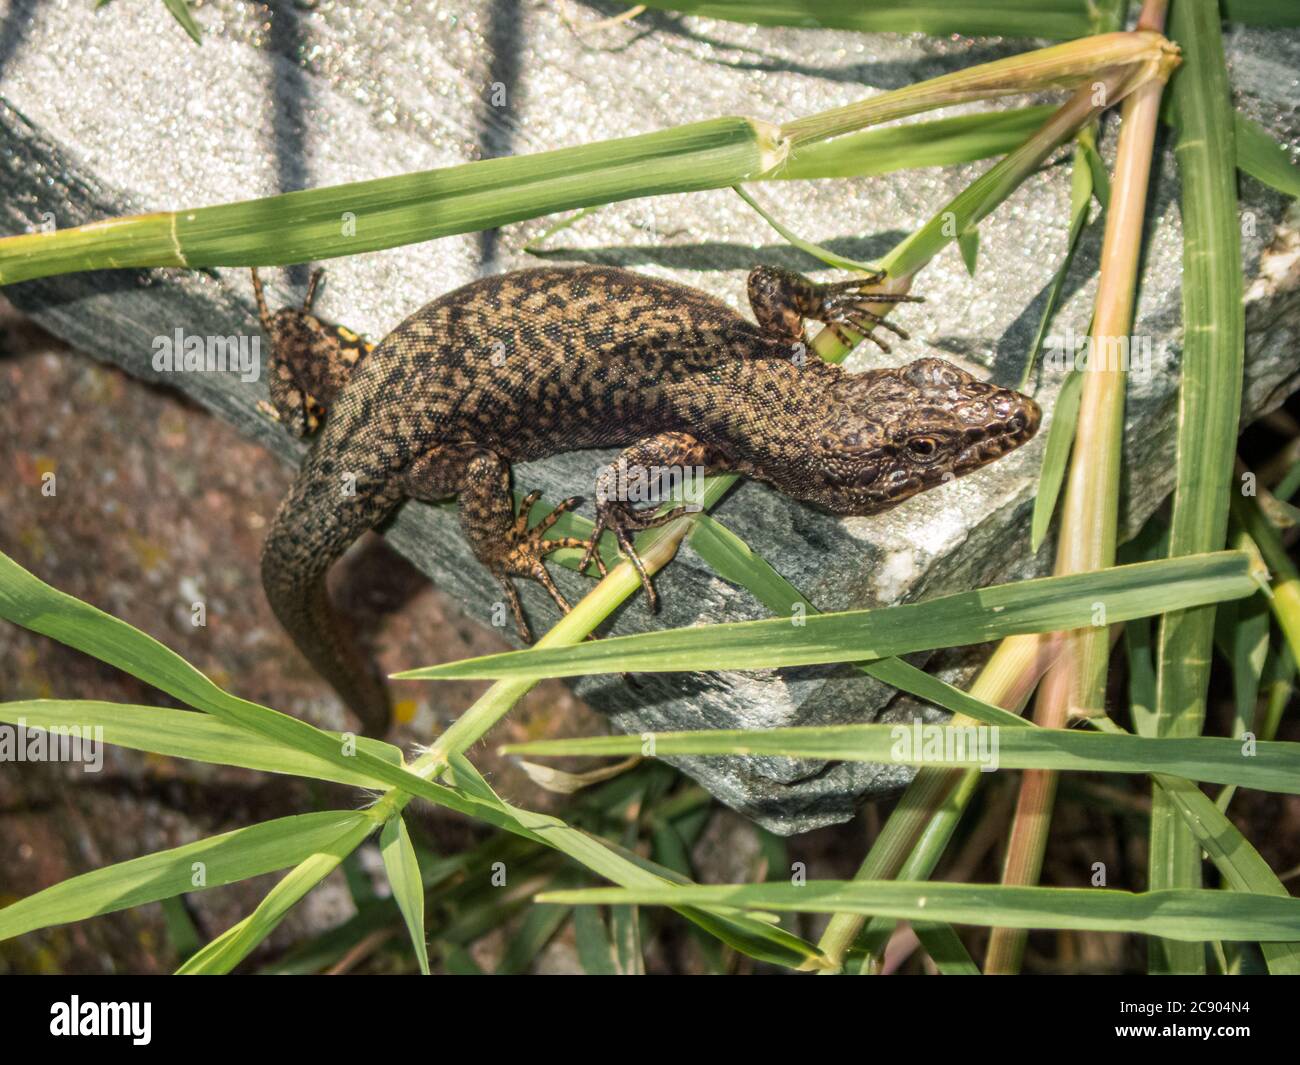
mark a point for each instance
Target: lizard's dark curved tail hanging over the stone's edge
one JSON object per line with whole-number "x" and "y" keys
{"x": 317, "y": 523}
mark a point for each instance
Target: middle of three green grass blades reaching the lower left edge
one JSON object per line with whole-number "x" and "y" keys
{"x": 185, "y": 734}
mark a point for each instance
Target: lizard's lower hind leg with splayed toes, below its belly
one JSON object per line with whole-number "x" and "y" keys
{"x": 501, "y": 539}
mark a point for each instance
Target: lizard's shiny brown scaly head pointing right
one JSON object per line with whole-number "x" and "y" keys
{"x": 896, "y": 432}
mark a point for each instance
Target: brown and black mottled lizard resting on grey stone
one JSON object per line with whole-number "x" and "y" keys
{"x": 536, "y": 362}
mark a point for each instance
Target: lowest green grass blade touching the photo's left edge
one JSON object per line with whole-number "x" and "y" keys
{"x": 196, "y": 867}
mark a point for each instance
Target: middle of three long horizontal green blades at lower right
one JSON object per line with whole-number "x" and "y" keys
{"x": 1272, "y": 767}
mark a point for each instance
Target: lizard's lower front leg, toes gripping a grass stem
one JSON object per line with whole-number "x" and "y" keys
{"x": 645, "y": 473}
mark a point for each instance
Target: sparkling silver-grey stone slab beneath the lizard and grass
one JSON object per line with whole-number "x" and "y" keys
{"x": 114, "y": 111}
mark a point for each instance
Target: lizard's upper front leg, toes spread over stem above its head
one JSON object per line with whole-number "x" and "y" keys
{"x": 782, "y": 300}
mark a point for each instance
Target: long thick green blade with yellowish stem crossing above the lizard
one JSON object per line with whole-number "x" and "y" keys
{"x": 387, "y": 213}
